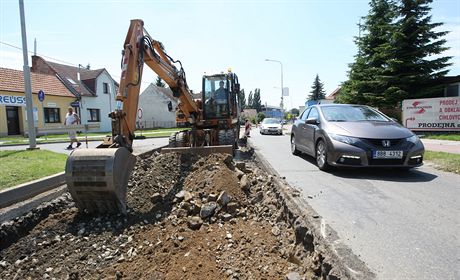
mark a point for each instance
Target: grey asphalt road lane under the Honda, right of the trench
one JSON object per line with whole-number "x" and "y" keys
{"x": 403, "y": 225}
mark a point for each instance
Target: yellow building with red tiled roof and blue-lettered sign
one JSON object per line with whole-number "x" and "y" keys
{"x": 49, "y": 113}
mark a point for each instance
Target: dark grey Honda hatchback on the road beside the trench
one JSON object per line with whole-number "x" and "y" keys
{"x": 354, "y": 136}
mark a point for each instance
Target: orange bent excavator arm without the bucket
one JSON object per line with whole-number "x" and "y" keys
{"x": 140, "y": 49}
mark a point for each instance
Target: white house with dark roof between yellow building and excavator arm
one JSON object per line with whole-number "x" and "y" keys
{"x": 94, "y": 90}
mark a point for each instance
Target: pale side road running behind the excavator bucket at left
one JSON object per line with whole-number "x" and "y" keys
{"x": 139, "y": 145}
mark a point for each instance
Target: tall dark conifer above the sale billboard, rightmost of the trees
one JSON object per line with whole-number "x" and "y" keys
{"x": 416, "y": 41}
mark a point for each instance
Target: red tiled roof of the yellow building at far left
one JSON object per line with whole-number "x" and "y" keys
{"x": 13, "y": 80}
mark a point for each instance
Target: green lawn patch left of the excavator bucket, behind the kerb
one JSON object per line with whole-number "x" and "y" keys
{"x": 20, "y": 166}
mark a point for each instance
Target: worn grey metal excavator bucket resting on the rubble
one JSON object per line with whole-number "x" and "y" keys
{"x": 97, "y": 178}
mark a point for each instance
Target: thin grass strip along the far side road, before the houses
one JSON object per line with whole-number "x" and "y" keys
{"x": 11, "y": 140}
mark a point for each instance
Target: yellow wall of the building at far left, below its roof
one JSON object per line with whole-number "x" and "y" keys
{"x": 59, "y": 102}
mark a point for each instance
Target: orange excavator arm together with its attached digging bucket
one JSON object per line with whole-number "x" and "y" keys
{"x": 97, "y": 178}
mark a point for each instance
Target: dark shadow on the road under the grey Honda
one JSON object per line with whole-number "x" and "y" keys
{"x": 385, "y": 174}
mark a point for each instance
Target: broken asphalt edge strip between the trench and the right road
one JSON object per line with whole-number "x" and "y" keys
{"x": 325, "y": 239}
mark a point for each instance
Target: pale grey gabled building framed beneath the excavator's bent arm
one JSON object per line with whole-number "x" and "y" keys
{"x": 157, "y": 108}
